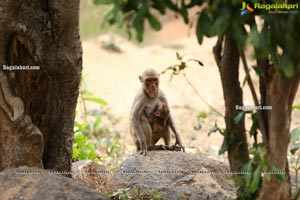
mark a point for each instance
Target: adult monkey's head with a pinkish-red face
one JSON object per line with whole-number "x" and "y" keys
{"x": 150, "y": 81}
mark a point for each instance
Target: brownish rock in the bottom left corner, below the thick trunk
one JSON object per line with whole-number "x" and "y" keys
{"x": 36, "y": 184}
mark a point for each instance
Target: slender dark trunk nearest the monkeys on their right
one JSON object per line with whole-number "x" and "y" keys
{"x": 229, "y": 70}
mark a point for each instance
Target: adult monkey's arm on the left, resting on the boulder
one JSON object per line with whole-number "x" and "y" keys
{"x": 135, "y": 120}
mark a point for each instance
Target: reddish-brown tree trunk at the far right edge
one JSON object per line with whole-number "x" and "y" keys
{"x": 281, "y": 92}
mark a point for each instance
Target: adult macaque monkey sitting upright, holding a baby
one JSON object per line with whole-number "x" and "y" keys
{"x": 146, "y": 101}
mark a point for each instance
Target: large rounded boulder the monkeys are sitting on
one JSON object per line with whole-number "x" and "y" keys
{"x": 173, "y": 175}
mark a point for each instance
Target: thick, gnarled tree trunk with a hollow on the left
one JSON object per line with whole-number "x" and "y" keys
{"x": 38, "y": 106}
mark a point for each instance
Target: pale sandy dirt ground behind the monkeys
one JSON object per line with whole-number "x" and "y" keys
{"x": 114, "y": 77}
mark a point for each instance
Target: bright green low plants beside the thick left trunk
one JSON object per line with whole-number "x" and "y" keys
{"x": 93, "y": 126}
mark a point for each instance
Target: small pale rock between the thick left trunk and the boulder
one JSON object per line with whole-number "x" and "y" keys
{"x": 90, "y": 173}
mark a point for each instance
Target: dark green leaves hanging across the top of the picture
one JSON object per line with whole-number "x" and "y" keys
{"x": 215, "y": 18}
